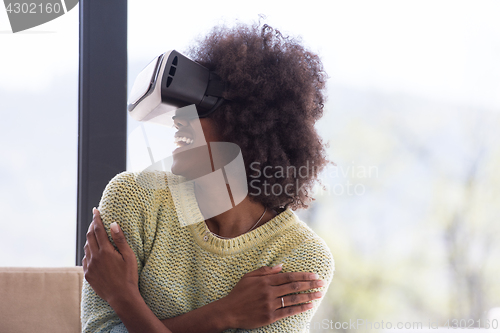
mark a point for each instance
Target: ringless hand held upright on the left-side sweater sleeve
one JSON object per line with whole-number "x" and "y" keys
{"x": 111, "y": 273}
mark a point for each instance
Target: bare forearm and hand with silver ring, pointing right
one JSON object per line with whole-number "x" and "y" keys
{"x": 252, "y": 303}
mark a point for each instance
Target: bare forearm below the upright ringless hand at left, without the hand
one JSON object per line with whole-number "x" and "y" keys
{"x": 137, "y": 316}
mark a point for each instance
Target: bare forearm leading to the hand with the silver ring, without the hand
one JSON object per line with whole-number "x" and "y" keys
{"x": 211, "y": 318}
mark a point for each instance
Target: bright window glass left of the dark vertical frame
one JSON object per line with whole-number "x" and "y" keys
{"x": 38, "y": 138}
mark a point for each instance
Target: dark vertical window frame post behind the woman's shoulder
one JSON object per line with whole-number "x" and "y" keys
{"x": 102, "y": 105}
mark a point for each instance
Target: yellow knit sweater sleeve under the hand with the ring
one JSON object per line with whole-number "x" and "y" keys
{"x": 312, "y": 256}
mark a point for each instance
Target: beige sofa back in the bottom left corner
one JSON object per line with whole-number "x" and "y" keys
{"x": 40, "y": 300}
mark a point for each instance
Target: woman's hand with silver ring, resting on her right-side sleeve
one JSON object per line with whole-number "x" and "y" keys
{"x": 255, "y": 301}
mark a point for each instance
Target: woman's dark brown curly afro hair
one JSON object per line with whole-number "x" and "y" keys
{"x": 276, "y": 95}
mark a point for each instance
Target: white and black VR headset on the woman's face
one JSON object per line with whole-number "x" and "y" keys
{"x": 168, "y": 84}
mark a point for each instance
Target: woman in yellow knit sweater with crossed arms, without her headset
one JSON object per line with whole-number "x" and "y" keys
{"x": 254, "y": 267}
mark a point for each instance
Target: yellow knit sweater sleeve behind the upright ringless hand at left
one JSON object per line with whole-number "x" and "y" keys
{"x": 122, "y": 202}
